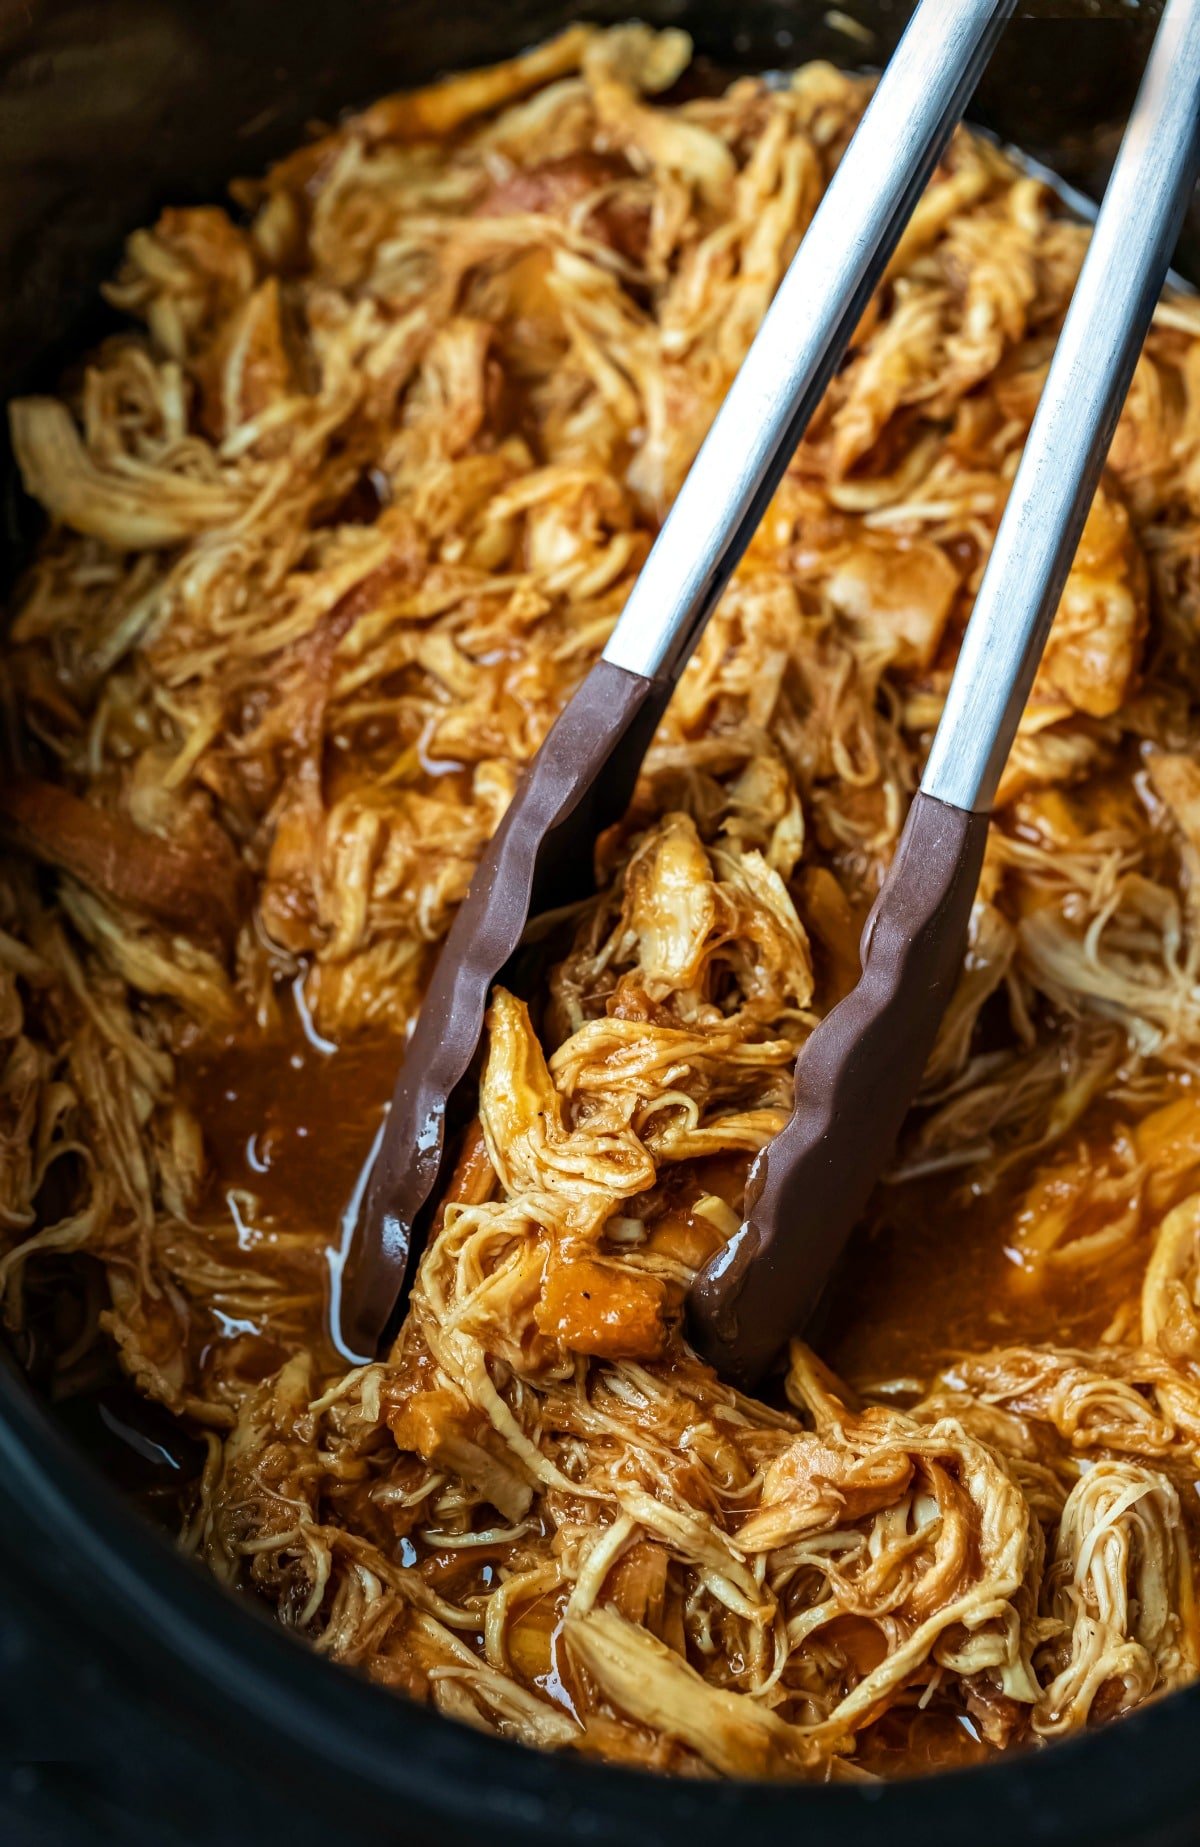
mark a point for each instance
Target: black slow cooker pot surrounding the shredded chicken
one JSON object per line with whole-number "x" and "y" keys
{"x": 138, "y": 1702}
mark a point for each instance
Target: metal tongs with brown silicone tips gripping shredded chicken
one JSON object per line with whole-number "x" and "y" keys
{"x": 865, "y": 1061}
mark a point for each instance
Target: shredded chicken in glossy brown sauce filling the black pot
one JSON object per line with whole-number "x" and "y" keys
{"x": 335, "y": 527}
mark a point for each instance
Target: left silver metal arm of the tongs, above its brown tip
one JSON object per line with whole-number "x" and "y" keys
{"x": 806, "y": 332}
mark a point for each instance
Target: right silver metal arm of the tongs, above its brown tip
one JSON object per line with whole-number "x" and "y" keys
{"x": 1090, "y": 376}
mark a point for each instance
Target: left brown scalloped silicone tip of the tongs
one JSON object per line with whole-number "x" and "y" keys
{"x": 579, "y": 784}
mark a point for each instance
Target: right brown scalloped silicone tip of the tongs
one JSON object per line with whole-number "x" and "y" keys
{"x": 854, "y": 1085}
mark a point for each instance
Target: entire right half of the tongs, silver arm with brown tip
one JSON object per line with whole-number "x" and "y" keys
{"x": 865, "y": 1061}
